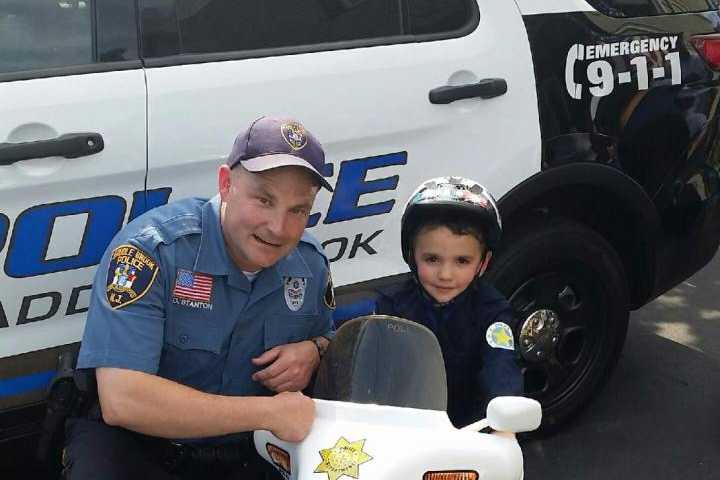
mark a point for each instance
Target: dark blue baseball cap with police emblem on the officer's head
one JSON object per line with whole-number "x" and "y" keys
{"x": 273, "y": 142}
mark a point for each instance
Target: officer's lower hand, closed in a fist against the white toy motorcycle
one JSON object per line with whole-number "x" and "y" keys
{"x": 292, "y": 416}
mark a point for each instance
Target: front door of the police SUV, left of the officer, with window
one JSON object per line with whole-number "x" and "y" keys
{"x": 72, "y": 152}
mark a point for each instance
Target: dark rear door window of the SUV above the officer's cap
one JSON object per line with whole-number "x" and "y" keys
{"x": 213, "y": 26}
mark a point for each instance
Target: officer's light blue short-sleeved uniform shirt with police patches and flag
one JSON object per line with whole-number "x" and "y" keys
{"x": 168, "y": 300}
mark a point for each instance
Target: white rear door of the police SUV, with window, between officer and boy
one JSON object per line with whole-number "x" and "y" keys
{"x": 397, "y": 91}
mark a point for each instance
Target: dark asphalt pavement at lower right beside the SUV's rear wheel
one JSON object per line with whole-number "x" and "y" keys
{"x": 659, "y": 415}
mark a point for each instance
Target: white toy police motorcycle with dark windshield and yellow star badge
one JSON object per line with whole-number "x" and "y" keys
{"x": 380, "y": 415}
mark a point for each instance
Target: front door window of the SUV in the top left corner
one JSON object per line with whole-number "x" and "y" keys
{"x": 42, "y": 34}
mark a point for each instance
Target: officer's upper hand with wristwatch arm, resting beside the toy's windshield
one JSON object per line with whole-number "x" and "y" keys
{"x": 290, "y": 366}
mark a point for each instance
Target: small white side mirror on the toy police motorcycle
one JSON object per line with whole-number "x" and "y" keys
{"x": 514, "y": 414}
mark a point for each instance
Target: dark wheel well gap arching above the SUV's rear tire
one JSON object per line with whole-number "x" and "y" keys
{"x": 602, "y": 211}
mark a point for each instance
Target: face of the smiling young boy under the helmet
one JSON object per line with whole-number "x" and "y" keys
{"x": 447, "y": 263}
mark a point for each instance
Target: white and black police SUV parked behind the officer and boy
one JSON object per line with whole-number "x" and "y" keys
{"x": 594, "y": 122}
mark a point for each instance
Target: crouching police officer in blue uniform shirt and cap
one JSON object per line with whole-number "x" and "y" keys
{"x": 207, "y": 318}
